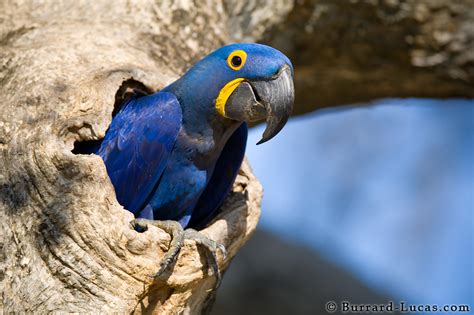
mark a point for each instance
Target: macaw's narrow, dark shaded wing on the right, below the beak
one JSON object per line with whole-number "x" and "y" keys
{"x": 222, "y": 179}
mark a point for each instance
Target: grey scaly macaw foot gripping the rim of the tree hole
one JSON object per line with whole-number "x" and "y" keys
{"x": 178, "y": 235}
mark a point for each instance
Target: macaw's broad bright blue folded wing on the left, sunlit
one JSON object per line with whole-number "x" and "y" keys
{"x": 138, "y": 144}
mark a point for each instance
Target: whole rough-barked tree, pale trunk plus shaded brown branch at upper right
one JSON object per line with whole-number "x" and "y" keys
{"x": 65, "y": 242}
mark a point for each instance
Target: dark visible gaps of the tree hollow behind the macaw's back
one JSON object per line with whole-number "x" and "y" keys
{"x": 128, "y": 89}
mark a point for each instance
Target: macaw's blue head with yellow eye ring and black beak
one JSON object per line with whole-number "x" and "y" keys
{"x": 244, "y": 82}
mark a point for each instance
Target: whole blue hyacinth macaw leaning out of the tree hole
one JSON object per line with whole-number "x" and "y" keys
{"x": 173, "y": 156}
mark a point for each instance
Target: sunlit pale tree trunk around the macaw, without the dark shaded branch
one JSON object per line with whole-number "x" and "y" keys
{"x": 65, "y": 242}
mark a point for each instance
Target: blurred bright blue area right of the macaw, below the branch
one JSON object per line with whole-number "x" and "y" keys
{"x": 384, "y": 191}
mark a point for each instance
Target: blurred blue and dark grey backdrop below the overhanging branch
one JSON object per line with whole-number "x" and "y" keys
{"x": 383, "y": 213}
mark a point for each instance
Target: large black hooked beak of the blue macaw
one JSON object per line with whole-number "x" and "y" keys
{"x": 270, "y": 99}
